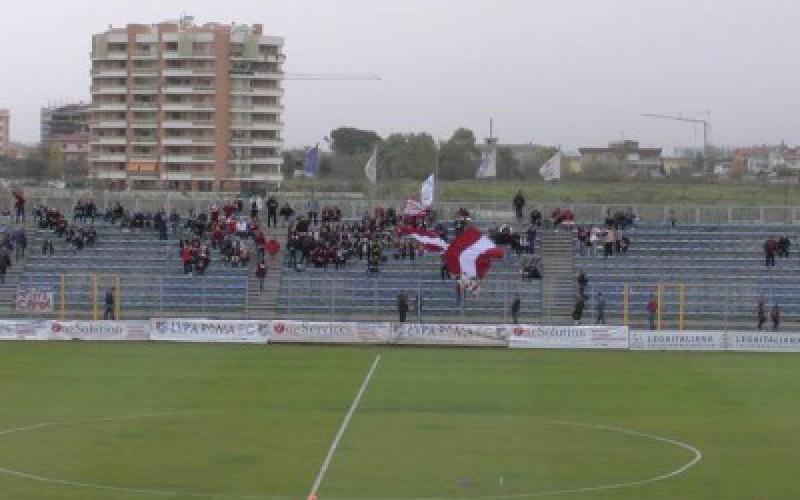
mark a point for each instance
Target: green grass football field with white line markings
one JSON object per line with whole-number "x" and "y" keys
{"x": 139, "y": 421}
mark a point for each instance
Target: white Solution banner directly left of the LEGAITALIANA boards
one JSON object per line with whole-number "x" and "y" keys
{"x": 568, "y": 337}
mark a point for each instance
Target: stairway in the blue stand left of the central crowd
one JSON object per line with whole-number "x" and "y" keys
{"x": 263, "y": 305}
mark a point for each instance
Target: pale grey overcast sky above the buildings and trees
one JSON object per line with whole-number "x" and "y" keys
{"x": 569, "y": 72}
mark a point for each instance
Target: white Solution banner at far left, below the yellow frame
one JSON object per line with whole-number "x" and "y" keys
{"x": 93, "y": 330}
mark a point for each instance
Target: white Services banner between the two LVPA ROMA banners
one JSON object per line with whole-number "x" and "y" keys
{"x": 328, "y": 333}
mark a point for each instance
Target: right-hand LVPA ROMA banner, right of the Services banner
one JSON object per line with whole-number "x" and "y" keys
{"x": 445, "y": 334}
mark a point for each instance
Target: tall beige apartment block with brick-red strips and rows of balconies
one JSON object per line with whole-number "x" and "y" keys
{"x": 181, "y": 106}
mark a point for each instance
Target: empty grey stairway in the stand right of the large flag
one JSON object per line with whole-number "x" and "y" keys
{"x": 558, "y": 273}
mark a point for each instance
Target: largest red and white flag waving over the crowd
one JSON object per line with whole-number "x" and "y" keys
{"x": 471, "y": 253}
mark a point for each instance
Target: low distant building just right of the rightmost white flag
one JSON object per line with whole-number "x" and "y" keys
{"x": 626, "y": 155}
